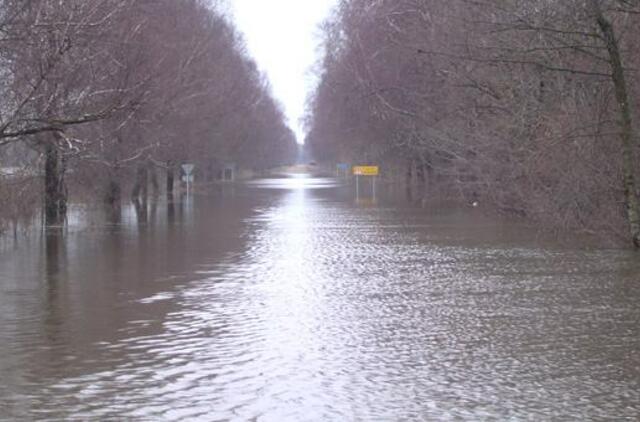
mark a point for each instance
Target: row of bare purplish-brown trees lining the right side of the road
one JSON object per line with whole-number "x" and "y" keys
{"x": 528, "y": 105}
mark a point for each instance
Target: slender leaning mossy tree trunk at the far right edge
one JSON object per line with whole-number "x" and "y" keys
{"x": 626, "y": 135}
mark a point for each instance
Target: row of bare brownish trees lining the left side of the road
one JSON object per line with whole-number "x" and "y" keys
{"x": 102, "y": 95}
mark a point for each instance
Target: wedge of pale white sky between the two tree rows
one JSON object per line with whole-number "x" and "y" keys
{"x": 283, "y": 38}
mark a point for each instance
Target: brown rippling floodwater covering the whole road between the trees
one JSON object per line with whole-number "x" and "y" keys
{"x": 288, "y": 300}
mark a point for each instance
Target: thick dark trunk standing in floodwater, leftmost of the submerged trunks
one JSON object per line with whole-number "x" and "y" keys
{"x": 55, "y": 195}
